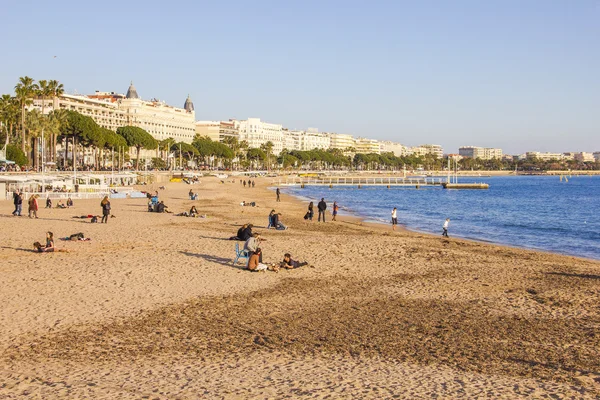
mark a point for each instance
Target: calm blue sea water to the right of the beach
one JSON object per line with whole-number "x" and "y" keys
{"x": 530, "y": 211}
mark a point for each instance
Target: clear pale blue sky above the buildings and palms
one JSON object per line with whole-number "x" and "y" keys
{"x": 521, "y": 75}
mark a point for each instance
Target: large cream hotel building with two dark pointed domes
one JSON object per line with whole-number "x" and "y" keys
{"x": 159, "y": 119}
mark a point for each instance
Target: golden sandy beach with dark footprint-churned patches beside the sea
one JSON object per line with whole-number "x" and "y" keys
{"x": 152, "y": 307}
